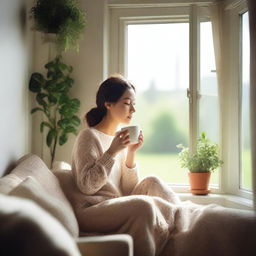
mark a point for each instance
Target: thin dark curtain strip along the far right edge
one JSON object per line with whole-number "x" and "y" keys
{"x": 252, "y": 26}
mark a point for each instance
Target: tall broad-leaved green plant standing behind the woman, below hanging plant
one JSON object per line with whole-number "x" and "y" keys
{"x": 52, "y": 96}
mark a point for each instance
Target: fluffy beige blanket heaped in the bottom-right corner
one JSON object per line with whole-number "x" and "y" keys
{"x": 211, "y": 230}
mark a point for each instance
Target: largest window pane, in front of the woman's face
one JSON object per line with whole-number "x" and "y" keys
{"x": 158, "y": 65}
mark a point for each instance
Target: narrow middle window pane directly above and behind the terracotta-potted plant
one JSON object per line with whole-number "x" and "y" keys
{"x": 208, "y": 102}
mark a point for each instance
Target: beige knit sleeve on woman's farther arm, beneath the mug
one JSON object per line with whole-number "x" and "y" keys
{"x": 129, "y": 178}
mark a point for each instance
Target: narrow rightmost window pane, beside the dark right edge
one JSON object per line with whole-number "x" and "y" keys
{"x": 246, "y": 170}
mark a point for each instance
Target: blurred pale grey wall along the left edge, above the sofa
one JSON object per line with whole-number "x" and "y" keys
{"x": 15, "y": 48}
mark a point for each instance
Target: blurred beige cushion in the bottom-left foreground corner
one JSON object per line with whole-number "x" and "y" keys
{"x": 27, "y": 229}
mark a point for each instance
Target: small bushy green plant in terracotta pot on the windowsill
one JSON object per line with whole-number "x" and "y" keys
{"x": 200, "y": 164}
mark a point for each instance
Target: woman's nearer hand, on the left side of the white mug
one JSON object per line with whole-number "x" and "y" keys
{"x": 120, "y": 141}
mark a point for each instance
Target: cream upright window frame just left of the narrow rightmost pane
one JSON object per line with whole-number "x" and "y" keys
{"x": 233, "y": 167}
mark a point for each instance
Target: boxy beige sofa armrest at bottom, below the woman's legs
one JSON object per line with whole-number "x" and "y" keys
{"x": 114, "y": 245}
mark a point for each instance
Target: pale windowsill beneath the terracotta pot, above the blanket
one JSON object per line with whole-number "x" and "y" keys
{"x": 225, "y": 200}
